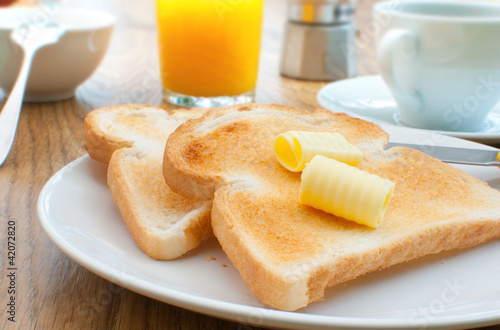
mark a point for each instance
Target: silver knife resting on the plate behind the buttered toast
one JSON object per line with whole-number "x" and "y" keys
{"x": 456, "y": 155}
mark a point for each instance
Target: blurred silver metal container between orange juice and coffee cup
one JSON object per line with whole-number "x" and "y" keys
{"x": 320, "y": 40}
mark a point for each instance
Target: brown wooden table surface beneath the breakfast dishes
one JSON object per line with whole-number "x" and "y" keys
{"x": 51, "y": 290}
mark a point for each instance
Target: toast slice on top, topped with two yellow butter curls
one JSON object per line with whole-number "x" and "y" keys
{"x": 289, "y": 253}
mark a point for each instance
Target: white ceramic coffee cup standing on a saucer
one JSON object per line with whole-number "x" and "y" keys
{"x": 440, "y": 60}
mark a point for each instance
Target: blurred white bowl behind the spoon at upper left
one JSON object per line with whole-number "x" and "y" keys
{"x": 58, "y": 69}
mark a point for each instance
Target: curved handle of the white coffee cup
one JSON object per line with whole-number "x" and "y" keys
{"x": 385, "y": 56}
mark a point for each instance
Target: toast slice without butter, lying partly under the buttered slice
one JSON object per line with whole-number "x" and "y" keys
{"x": 131, "y": 139}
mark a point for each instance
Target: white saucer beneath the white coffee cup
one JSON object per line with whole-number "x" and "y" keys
{"x": 369, "y": 98}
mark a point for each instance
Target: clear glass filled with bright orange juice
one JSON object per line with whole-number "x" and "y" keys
{"x": 209, "y": 50}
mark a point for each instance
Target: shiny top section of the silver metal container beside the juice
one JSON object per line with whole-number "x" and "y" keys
{"x": 321, "y": 11}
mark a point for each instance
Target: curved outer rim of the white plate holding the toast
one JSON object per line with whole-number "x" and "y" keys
{"x": 222, "y": 309}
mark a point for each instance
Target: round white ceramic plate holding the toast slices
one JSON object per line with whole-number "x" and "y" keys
{"x": 448, "y": 290}
